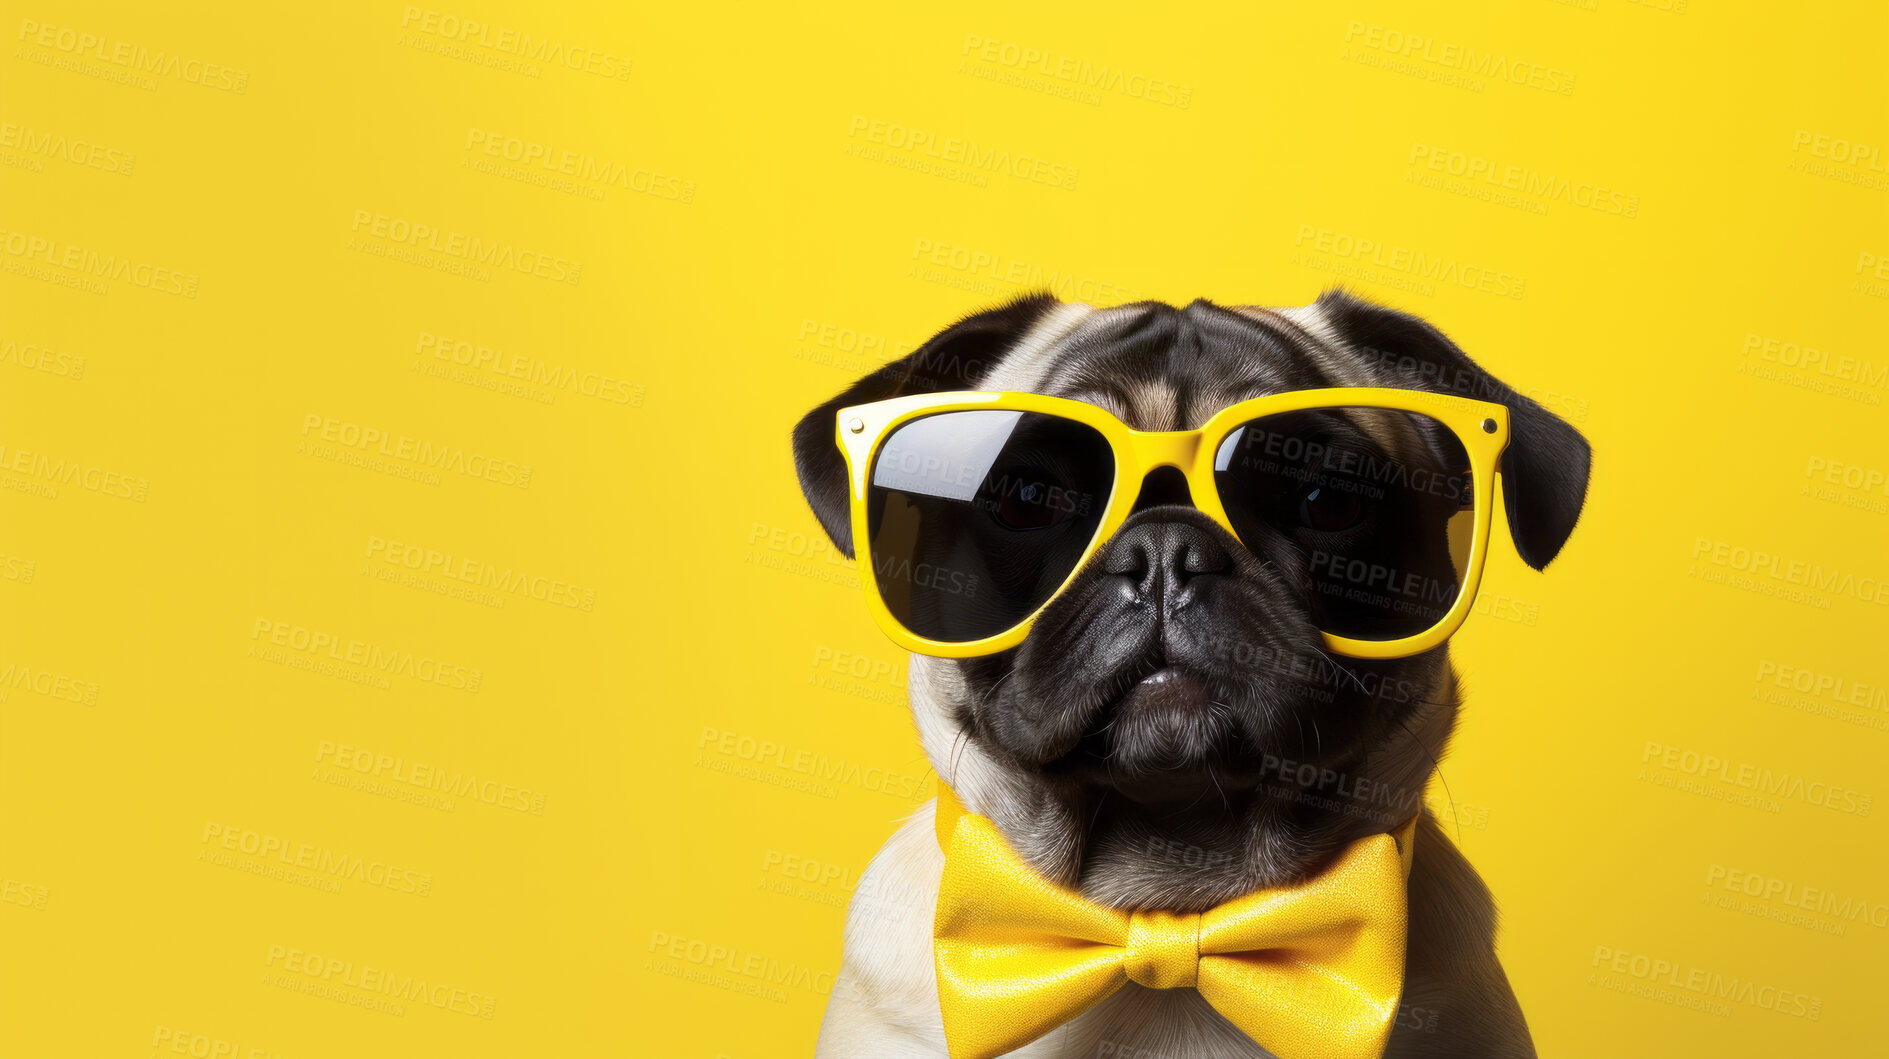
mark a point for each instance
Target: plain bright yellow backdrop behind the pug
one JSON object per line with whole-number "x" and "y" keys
{"x": 679, "y": 782}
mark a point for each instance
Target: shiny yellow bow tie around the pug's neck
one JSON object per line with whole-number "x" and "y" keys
{"x": 1308, "y": 971}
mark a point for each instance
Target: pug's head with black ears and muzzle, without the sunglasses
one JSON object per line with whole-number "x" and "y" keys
{"x": 1172, "y": 730}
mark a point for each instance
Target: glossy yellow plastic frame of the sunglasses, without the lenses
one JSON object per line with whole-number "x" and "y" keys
{"x": 1482, "y": 428}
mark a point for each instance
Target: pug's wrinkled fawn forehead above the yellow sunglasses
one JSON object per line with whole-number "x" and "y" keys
{"x": 1159, "y": 367}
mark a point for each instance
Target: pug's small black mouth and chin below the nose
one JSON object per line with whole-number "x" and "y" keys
{"x": 1168, "y": 739}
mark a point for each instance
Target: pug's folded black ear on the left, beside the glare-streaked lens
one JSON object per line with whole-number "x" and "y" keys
{"x": 953, "y": 360}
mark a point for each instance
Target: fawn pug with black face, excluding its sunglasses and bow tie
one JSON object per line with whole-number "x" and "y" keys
{"x": 1185, "y": 754}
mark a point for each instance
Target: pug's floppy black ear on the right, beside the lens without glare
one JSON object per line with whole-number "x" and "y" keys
{"x": 1544, "y": 471}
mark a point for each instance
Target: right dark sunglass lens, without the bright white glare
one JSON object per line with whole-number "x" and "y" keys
{"x": 1374, "y": 507}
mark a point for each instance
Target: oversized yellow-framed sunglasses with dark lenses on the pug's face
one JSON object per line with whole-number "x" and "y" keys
{"x": 974, "y": 511}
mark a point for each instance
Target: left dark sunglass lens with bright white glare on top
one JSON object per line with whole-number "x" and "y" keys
{"x": 978, "y": 518}
